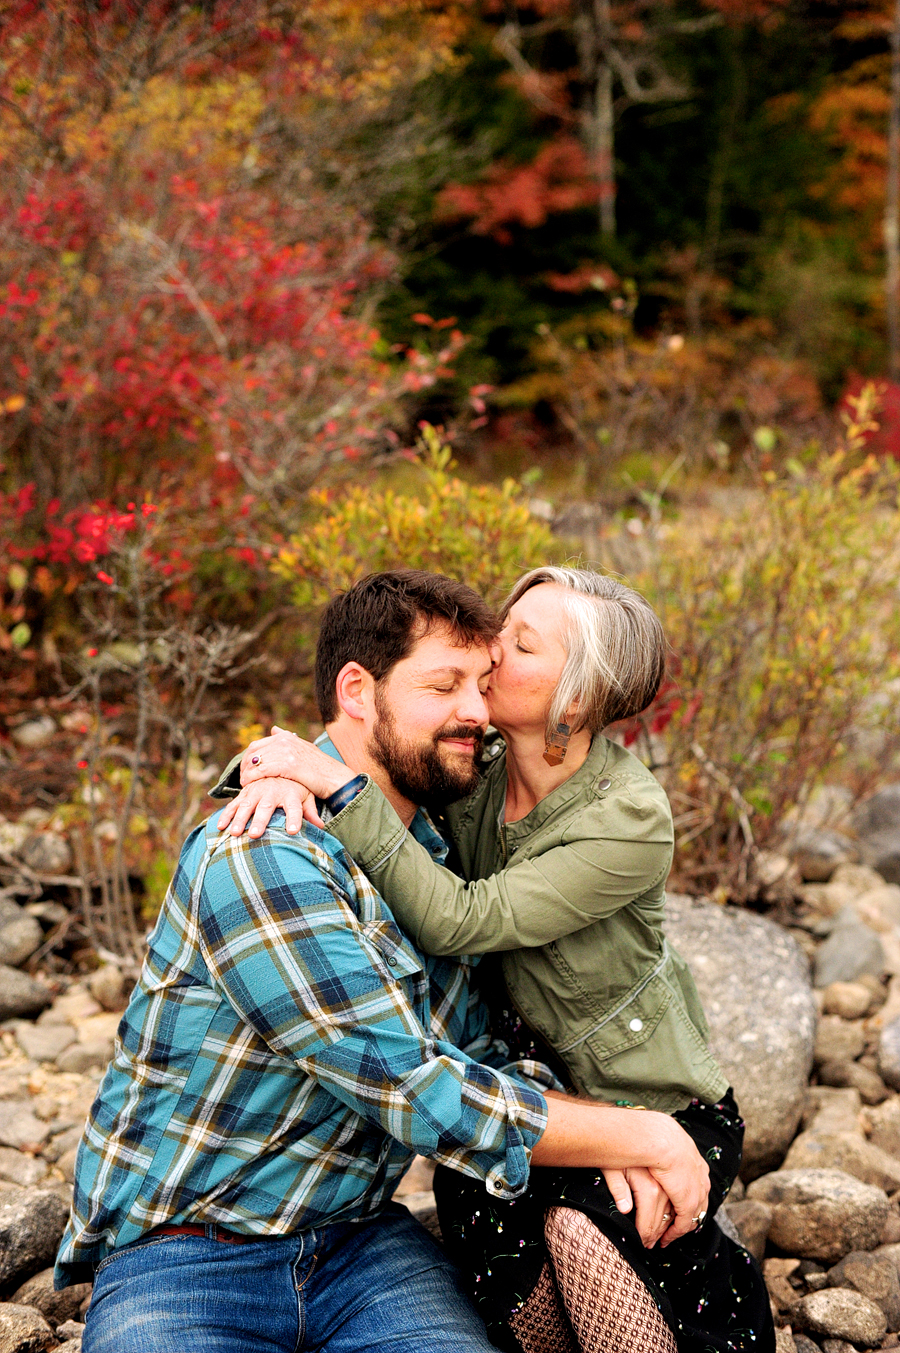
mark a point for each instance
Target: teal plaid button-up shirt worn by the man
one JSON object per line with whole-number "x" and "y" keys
{"x": 285, "y": 1053}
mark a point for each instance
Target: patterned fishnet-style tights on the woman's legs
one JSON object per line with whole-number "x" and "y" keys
{"x": 592, "y": 1301}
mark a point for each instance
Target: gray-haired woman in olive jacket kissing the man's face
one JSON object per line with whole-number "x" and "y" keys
{"x": 566, "y": 845}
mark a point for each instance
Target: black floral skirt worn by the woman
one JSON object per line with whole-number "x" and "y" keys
{"x": 708, "y": 1289}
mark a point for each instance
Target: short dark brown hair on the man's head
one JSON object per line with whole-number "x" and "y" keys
{"x": 378, "y": 622}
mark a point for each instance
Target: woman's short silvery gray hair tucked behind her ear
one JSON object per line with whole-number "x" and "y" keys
{"x": 615, "y": 647}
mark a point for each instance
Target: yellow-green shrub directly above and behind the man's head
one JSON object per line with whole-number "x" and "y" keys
{"x": 481, "y": 534}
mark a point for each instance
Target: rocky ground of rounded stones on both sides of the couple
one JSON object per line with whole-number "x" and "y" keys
{"x": 805, "y": 1015}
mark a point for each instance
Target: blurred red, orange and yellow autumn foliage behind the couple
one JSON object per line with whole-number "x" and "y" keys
{"x": 290, "y": 292}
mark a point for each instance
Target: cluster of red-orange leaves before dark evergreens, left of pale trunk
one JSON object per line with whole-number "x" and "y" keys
{"x": 557, "y": 181}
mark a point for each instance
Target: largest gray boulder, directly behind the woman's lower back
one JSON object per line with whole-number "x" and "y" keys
{"x": 732, "y": 952}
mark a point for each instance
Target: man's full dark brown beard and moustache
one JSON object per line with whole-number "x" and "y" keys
{"x": 419, "y": 772}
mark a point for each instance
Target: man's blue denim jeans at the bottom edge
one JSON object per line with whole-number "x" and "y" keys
{"x": 378, "y": 1285}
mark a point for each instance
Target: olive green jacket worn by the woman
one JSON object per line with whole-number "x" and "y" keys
{"x": 573, "y": 896}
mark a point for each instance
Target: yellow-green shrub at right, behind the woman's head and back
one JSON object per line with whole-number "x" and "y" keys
{"x": 786, "y": 634}
